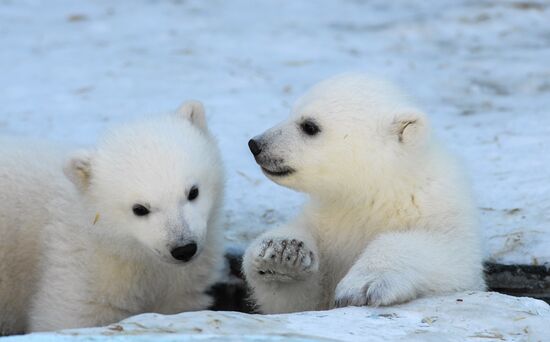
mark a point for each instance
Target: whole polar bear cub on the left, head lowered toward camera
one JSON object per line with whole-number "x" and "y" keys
{"x": 136, "y": 230}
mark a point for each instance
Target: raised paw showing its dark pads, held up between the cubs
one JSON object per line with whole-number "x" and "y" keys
{"x": 281, "y": 259}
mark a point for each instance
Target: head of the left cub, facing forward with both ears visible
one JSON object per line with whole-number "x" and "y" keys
{"x": 155, "y": 183}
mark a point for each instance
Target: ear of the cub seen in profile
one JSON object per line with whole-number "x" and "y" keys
{"x": 410, "y": 128}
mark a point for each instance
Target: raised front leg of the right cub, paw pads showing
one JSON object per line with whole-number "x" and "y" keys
{"x": 282, "y": 270}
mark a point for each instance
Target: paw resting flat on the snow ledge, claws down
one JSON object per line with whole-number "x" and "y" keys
{"x": 374, "y": 289}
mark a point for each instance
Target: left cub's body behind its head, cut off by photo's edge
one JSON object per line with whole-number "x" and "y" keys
{"x": 31, "y": 174}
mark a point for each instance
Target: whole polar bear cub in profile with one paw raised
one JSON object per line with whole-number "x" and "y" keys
{"x": 389, "y": 217}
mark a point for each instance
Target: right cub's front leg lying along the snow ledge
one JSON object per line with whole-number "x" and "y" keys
{"x": 400, "y": 266}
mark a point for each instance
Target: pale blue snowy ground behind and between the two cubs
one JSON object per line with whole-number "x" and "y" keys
{"x": 481, "y": 68}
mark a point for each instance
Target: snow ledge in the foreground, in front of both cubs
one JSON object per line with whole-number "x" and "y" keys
{"x": 459, "y": 317}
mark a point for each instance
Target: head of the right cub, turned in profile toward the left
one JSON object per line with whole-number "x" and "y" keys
{"x": 348, "y": 134}
